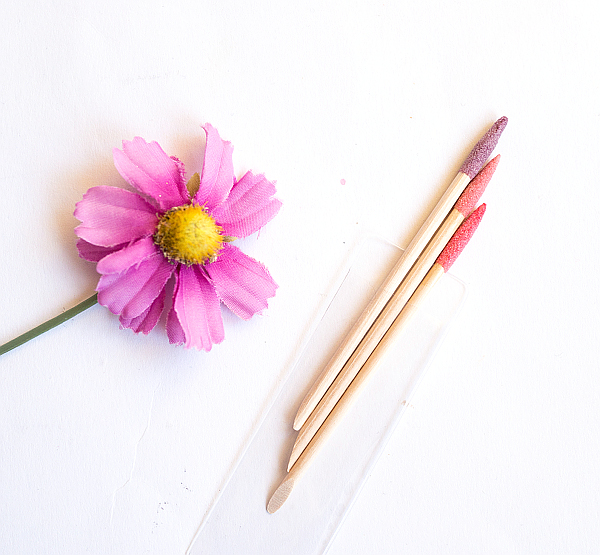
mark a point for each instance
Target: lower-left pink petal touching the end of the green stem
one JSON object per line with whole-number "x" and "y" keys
{"x": 131, "y": 292}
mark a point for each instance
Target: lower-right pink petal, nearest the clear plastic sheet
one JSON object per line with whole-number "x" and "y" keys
{"x": 242, "y": 283}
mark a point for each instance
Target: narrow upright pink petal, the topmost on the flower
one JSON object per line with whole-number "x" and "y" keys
{"x": 217, "y": 172}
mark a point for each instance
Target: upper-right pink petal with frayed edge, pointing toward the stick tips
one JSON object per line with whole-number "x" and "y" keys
{"x": 248, "y": 207}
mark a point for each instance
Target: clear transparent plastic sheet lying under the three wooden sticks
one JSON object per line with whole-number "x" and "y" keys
{"x": 238, "y": 521}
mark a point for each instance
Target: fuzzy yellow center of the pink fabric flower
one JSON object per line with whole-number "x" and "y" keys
{"x": 189, "y": 235}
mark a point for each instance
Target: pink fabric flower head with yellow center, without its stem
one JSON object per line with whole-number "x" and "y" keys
{"x": 179, "y": 232}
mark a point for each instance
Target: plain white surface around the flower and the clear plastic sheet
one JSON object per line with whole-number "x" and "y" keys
{"x": 362, "y": 112}
